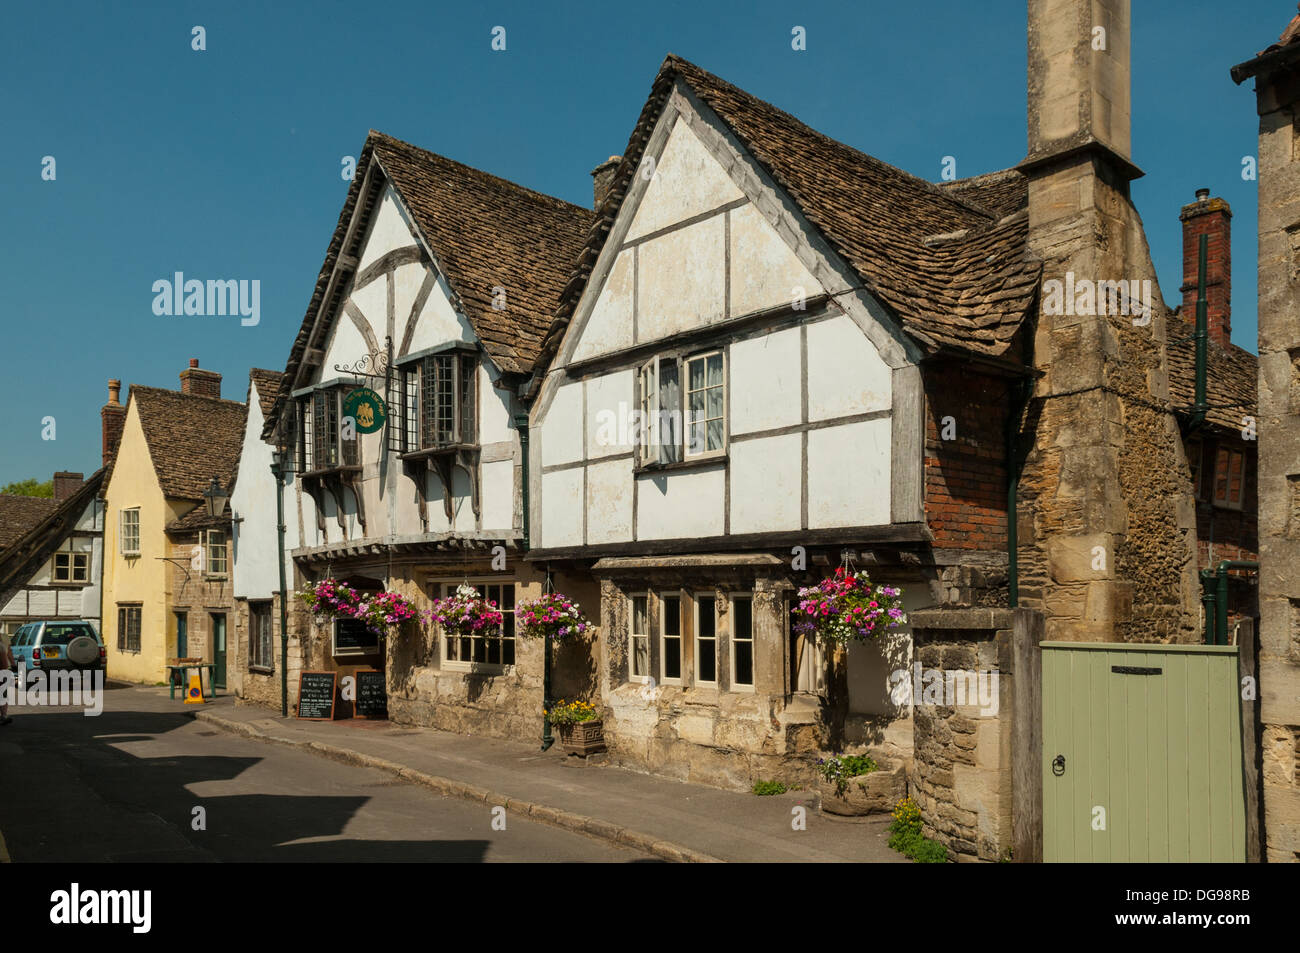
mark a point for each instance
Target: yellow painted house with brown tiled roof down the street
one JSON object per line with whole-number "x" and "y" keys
{"x": 172, "y": 445}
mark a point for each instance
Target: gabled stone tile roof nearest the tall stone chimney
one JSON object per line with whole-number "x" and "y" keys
{"x": 951, "y": 263}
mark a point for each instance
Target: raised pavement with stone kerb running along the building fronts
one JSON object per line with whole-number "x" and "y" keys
{"x": 669, "y": 820}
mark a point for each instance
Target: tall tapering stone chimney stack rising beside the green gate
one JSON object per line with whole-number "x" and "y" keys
{"x": 1100, "y": 488}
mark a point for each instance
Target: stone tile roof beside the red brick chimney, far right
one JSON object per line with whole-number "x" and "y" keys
{"x": 1232, "y": 376}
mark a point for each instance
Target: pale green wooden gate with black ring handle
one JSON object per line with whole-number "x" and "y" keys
{"x": 1142, "y": 753}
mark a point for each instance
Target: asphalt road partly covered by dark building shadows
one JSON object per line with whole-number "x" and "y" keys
{"x": 145, "y": 782}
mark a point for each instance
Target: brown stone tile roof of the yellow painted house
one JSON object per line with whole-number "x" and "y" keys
{"x": 192, "y": 439}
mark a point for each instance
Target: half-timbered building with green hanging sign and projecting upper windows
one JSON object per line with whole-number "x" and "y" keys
{"x": 437, "y": 288}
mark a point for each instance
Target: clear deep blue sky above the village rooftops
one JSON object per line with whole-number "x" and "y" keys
{"x": 226, "y": 163}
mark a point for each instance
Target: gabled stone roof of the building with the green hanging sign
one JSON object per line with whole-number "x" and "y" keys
{"x": 483, "y": 231}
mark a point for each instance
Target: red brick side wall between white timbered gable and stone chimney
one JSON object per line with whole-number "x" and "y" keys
{"x": 967, "y": 476}
